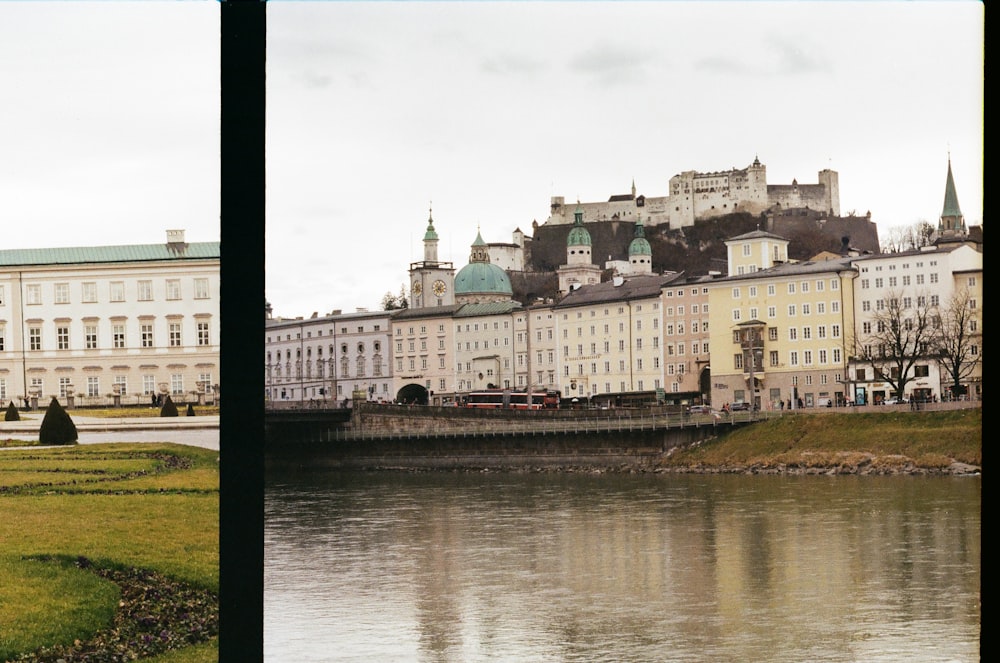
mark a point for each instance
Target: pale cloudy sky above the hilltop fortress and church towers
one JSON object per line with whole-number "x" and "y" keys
{"x": 488, "y": 109}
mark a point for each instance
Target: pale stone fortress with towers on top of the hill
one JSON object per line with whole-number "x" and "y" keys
{"x": 697, "y": 196}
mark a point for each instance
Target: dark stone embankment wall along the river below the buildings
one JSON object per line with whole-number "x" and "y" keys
{"x": 458, "y": 438}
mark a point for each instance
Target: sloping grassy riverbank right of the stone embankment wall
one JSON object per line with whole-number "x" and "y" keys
{"x": 856, "y": 443}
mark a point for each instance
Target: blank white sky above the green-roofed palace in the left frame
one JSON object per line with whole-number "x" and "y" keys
{"x": 110, "y": 122}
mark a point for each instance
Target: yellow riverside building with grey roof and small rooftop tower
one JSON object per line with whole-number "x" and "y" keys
{"x": 779, "y": 329}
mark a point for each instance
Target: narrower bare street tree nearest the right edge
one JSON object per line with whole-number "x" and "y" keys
{"x": 959, "y": 343}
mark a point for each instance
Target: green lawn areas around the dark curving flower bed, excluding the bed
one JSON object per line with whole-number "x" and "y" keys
{"x": 161, "y": 513}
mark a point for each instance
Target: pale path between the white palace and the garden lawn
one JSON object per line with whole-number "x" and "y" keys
{"x": 200, "y": 431}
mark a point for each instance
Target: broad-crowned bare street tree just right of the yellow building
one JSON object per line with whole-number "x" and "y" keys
{"x": 902, "y": 332}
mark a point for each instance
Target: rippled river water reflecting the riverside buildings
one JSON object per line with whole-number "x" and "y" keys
{"x": 394, "y": 566}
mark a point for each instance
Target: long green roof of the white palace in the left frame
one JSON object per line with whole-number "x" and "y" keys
{"x": 109, "y": 254}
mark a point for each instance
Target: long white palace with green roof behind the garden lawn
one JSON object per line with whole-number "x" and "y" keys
{"x": 102, "y": 324}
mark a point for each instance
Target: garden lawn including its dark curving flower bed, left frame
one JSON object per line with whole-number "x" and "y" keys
{"x": 96, "y": 534}
